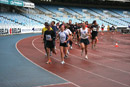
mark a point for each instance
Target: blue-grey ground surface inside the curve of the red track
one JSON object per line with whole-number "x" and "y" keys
{"x": 16, "y": 71}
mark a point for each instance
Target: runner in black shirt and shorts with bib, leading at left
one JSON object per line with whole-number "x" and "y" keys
{"x": 49, "y": 38}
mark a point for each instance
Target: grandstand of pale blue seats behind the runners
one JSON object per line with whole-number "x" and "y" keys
{"x": 35, "y": 15}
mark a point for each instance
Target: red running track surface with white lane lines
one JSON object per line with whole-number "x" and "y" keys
{"x": 107, "y": 66}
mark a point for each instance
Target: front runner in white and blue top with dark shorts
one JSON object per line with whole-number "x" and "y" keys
{"x": 64, "y": 38}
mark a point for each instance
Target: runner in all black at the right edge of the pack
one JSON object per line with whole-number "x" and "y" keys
{"x": 94, "y": 33}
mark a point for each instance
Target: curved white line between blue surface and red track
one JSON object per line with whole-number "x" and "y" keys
{"x": 42, "y": 67}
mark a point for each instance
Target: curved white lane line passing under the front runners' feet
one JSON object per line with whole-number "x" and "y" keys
{"x": 83, "y": 69}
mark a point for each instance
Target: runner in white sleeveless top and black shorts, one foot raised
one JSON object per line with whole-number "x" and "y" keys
{"x": 84, "y": 33}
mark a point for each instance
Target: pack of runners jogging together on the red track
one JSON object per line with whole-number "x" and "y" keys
{"x": 67, "y": 34}
